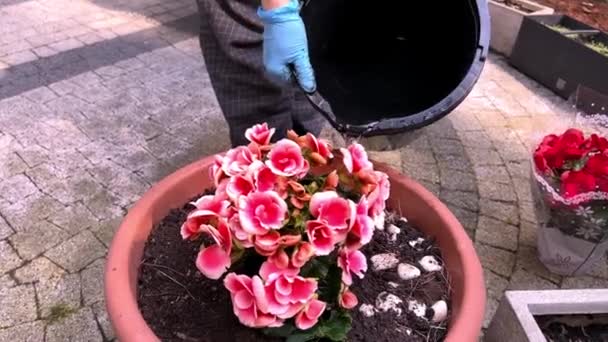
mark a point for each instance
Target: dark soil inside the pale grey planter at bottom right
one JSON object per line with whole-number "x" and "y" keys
{"x": 574, "y": 328}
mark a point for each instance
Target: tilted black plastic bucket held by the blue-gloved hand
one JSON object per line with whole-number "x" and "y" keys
{"x": 389, "y": 67}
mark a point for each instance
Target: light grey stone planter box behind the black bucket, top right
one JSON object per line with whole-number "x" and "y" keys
{"x": 506, "y": 22}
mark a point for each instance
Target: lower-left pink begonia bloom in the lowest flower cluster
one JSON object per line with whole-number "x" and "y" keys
{"x": 243, "y": 291}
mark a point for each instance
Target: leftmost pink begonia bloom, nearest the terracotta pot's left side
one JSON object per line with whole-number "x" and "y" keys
{"x": 208, "y": 210}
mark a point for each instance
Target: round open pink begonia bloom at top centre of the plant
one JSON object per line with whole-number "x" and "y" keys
{"x": 285, "y": 159}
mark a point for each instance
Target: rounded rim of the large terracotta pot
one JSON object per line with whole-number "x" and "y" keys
{"x": 126, "y": 250}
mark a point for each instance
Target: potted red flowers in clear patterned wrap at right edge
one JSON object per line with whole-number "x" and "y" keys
{"x": 571, "y": 177}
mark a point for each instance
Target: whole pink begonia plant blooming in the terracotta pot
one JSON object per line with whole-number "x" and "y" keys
{"x": 303, "y": 211}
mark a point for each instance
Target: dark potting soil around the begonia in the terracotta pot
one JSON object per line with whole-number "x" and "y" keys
{"x": 180, "y": 304}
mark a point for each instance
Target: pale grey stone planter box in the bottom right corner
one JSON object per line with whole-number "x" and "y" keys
{"x": 514, "y": 319}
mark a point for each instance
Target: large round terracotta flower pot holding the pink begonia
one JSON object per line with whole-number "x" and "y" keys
{"x": 420, "y": 207}
